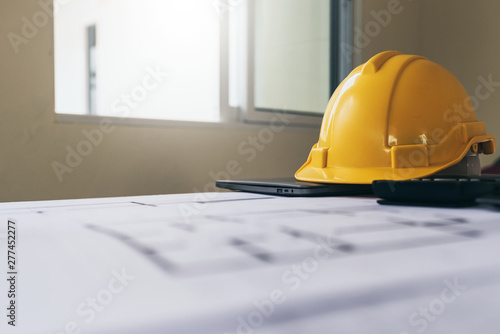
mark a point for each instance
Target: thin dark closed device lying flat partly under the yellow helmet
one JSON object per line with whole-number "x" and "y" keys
{"x": 292, "y": 187}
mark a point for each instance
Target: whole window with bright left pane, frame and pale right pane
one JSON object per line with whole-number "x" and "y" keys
{"x": 197, "y": 60}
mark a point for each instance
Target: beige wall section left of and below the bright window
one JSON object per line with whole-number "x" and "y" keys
{"x": 132, "y": 160}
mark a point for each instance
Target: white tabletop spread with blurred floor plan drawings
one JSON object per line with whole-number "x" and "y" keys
{"x": 246, "y": 263}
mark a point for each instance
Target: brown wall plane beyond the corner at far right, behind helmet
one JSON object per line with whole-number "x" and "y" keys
{"x": 463, "y": 35}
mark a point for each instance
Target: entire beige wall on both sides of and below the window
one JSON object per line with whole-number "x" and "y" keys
{"x": 134, "y": 160}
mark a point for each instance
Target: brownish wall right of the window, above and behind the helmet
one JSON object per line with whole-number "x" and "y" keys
{"x": 461, "y": 35}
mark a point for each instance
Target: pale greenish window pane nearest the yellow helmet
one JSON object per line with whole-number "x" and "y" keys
{"x": 292, "y": 55}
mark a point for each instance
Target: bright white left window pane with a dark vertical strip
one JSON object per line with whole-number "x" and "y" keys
{"x": 151, "y": 59}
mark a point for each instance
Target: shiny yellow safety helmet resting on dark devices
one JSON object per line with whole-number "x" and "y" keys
{"x": 396, "y": 117}
